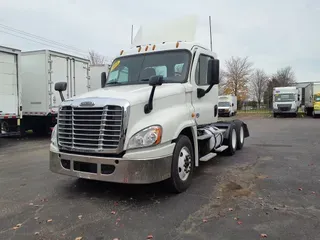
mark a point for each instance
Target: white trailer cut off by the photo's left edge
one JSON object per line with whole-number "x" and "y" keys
{"x": 10, "y": 91}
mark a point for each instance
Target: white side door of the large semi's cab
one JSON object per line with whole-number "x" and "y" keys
{"x": 206, "y": 107}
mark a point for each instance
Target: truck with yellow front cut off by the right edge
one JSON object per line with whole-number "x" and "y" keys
{"x": 312, "y": 106}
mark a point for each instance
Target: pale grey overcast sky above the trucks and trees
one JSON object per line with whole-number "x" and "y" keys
{"x": 273, "y": 34}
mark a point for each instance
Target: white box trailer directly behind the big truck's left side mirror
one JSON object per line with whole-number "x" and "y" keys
{"x": 40, "y": 71}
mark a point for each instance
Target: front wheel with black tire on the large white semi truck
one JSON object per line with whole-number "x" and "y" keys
{"x": 183, "y": 153}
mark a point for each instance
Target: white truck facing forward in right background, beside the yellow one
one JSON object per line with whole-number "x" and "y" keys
{"x": 286, "y": 101}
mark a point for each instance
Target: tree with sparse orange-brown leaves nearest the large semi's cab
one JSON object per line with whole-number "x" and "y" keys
{"x": 237, "y": 75}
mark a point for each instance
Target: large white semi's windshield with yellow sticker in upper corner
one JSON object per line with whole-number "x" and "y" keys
{"x": 137, "y": 69}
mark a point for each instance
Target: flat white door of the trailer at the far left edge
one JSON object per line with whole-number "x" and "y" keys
{"x": 9, "y": 103}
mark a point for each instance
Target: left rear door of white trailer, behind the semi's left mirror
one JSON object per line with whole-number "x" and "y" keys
{"x": 58, "y": 72}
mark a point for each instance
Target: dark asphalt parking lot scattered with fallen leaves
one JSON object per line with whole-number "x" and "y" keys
{"x": 271, "y": 187}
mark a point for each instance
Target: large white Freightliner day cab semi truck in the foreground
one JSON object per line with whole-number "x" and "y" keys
{"x": 147, "y": 123}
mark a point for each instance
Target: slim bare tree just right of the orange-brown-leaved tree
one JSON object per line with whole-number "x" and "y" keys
{"x": 258, "y": 85}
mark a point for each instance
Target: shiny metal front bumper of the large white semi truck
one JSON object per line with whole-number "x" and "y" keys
{"x": 120, "y": 170}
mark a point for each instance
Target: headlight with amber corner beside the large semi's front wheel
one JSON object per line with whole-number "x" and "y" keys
{"x": 146, "y": 137}
